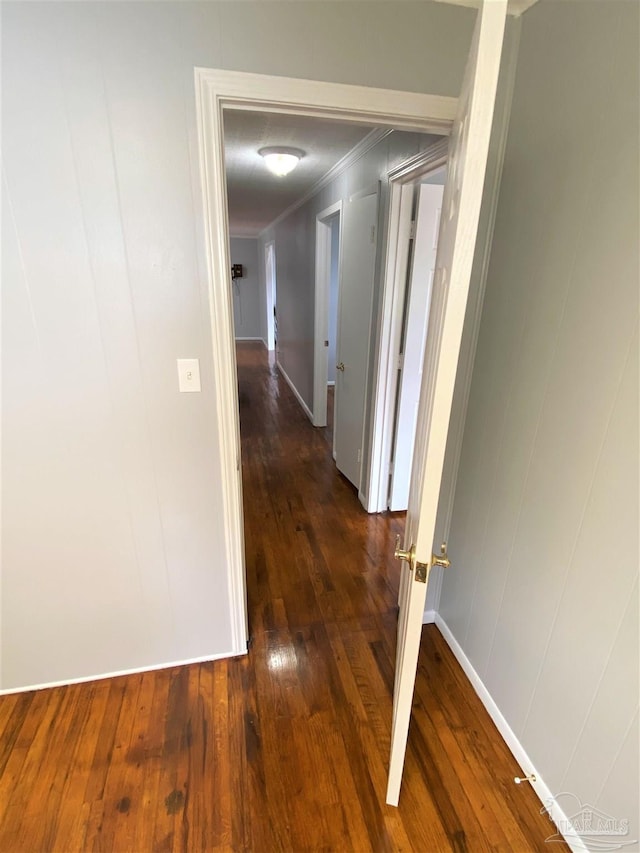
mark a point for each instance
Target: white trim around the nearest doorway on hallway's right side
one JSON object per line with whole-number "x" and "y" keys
{"x": 392, "y": 300}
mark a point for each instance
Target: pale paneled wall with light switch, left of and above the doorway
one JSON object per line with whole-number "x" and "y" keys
{"x": 110, "y": 556}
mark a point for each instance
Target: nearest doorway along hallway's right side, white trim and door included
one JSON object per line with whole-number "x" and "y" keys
{"x": 411, "y": 247}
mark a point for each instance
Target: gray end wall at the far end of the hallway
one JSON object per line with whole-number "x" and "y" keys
{"x": 247, "y": 300}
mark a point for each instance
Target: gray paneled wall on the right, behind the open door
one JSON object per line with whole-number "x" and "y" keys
{"x": 543, "y": 590}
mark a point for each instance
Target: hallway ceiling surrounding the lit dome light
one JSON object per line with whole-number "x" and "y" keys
{"x": 256, "y": 197}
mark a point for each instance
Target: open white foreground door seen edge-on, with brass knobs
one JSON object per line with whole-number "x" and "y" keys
{"x": 458, "y": 229}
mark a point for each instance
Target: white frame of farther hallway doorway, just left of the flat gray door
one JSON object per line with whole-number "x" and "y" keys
{"x": 321, "y": 308}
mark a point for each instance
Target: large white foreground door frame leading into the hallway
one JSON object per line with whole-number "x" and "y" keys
{"x": 216, "y": 89}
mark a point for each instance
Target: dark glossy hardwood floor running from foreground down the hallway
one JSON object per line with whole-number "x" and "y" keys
{"x": 285, "y": 749}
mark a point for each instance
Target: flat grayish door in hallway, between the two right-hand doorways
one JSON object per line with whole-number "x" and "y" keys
{"x": 358, "y": 258}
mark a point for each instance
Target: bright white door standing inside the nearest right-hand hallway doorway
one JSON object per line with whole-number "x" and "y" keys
{"x": 417, "y": 300}
